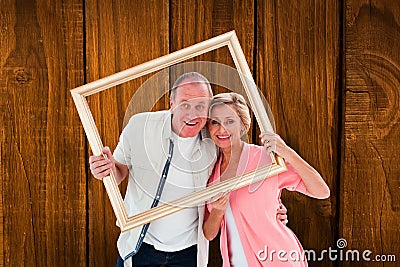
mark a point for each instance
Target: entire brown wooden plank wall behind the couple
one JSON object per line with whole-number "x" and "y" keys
{"x": 329, "y": 70}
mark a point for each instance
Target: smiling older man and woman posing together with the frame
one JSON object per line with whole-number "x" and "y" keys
{"x": 169, "y": 154}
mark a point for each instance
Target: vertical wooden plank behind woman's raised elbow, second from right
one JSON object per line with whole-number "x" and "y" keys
{"x": 297, "y": 70}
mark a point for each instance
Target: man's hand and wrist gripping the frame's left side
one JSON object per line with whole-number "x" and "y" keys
{"x": 100, "y": 167}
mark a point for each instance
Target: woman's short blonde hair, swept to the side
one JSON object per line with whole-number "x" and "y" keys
{"x": 238, "y": 102}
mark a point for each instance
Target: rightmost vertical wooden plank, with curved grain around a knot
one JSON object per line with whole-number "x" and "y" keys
{"x": 370, "y": 202}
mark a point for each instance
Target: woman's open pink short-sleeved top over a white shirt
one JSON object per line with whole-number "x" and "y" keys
{"x": 265, "y": 240}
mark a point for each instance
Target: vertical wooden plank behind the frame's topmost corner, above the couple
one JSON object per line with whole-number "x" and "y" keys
{"x": 194, "y": 21}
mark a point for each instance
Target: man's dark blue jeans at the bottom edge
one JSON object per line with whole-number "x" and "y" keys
{"x": 149, "y": 256}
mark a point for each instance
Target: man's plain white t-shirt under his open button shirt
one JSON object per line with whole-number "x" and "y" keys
{"x": 179, "y": 230}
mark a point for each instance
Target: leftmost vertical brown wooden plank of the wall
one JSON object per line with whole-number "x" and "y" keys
{"x": 43, "y": 177}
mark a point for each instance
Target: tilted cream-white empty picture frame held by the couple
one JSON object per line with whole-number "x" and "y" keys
{"x": 80, "y": 94}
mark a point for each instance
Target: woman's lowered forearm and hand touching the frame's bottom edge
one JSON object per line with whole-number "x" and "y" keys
{"x": 212, "y": 222}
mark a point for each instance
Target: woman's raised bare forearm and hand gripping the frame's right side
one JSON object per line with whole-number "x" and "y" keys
{"x": 314, "y": 183}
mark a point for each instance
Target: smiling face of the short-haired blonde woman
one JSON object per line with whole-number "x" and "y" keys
{"x": 225, "y": 125}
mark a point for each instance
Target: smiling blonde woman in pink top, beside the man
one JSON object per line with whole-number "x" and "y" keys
{"x": 250, "y": 231}
